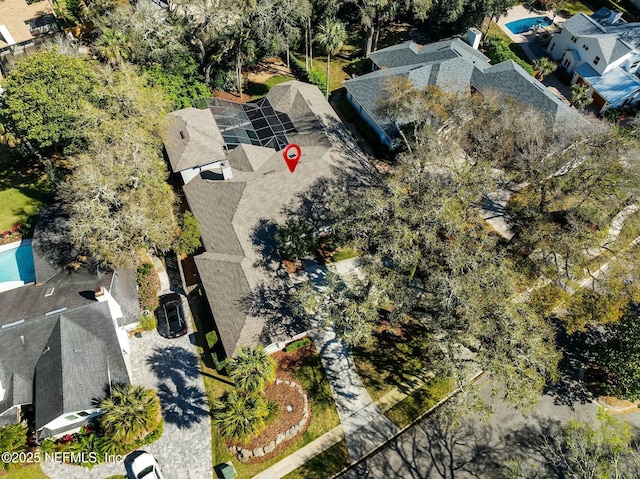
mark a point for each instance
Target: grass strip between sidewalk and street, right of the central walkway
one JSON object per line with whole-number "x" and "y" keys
{"x": 420, "y": 401}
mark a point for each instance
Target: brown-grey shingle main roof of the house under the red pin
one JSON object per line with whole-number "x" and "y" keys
{"x": 230, "y": 212}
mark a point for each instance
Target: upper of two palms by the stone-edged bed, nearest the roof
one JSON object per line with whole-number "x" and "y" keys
{"x": 252, "y": 368}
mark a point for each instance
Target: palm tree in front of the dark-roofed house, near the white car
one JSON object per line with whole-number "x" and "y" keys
{"x": 130, "y": 413}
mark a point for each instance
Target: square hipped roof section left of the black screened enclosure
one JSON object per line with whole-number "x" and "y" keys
{"x": 191, "y": 138}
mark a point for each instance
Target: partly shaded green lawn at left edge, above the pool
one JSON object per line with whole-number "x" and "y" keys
{"x": 23, "y": 189}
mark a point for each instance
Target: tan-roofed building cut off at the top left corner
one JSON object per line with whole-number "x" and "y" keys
{"x": 23, "y": 26}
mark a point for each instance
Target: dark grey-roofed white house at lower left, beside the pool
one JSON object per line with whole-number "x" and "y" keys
{"x": 63, "y": 339}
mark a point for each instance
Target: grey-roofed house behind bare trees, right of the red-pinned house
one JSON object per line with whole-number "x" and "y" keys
{"x": 453, "y": 66}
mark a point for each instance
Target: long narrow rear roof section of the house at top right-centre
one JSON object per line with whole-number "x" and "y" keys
{"x": 410, "y": 53}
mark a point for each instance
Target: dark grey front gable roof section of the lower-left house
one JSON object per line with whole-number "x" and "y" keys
{"x": 79, "y": 359}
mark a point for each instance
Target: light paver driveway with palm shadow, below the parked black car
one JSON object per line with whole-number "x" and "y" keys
{"x": 184, "y": 451}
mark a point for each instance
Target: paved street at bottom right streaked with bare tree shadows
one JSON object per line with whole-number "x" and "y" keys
{"x": 477, "y": 449}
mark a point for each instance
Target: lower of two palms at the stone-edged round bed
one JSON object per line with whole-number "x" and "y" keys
{"x": 239, "y": 416}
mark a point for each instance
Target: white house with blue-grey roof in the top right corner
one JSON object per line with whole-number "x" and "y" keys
{"x": 602, "y": 51}
